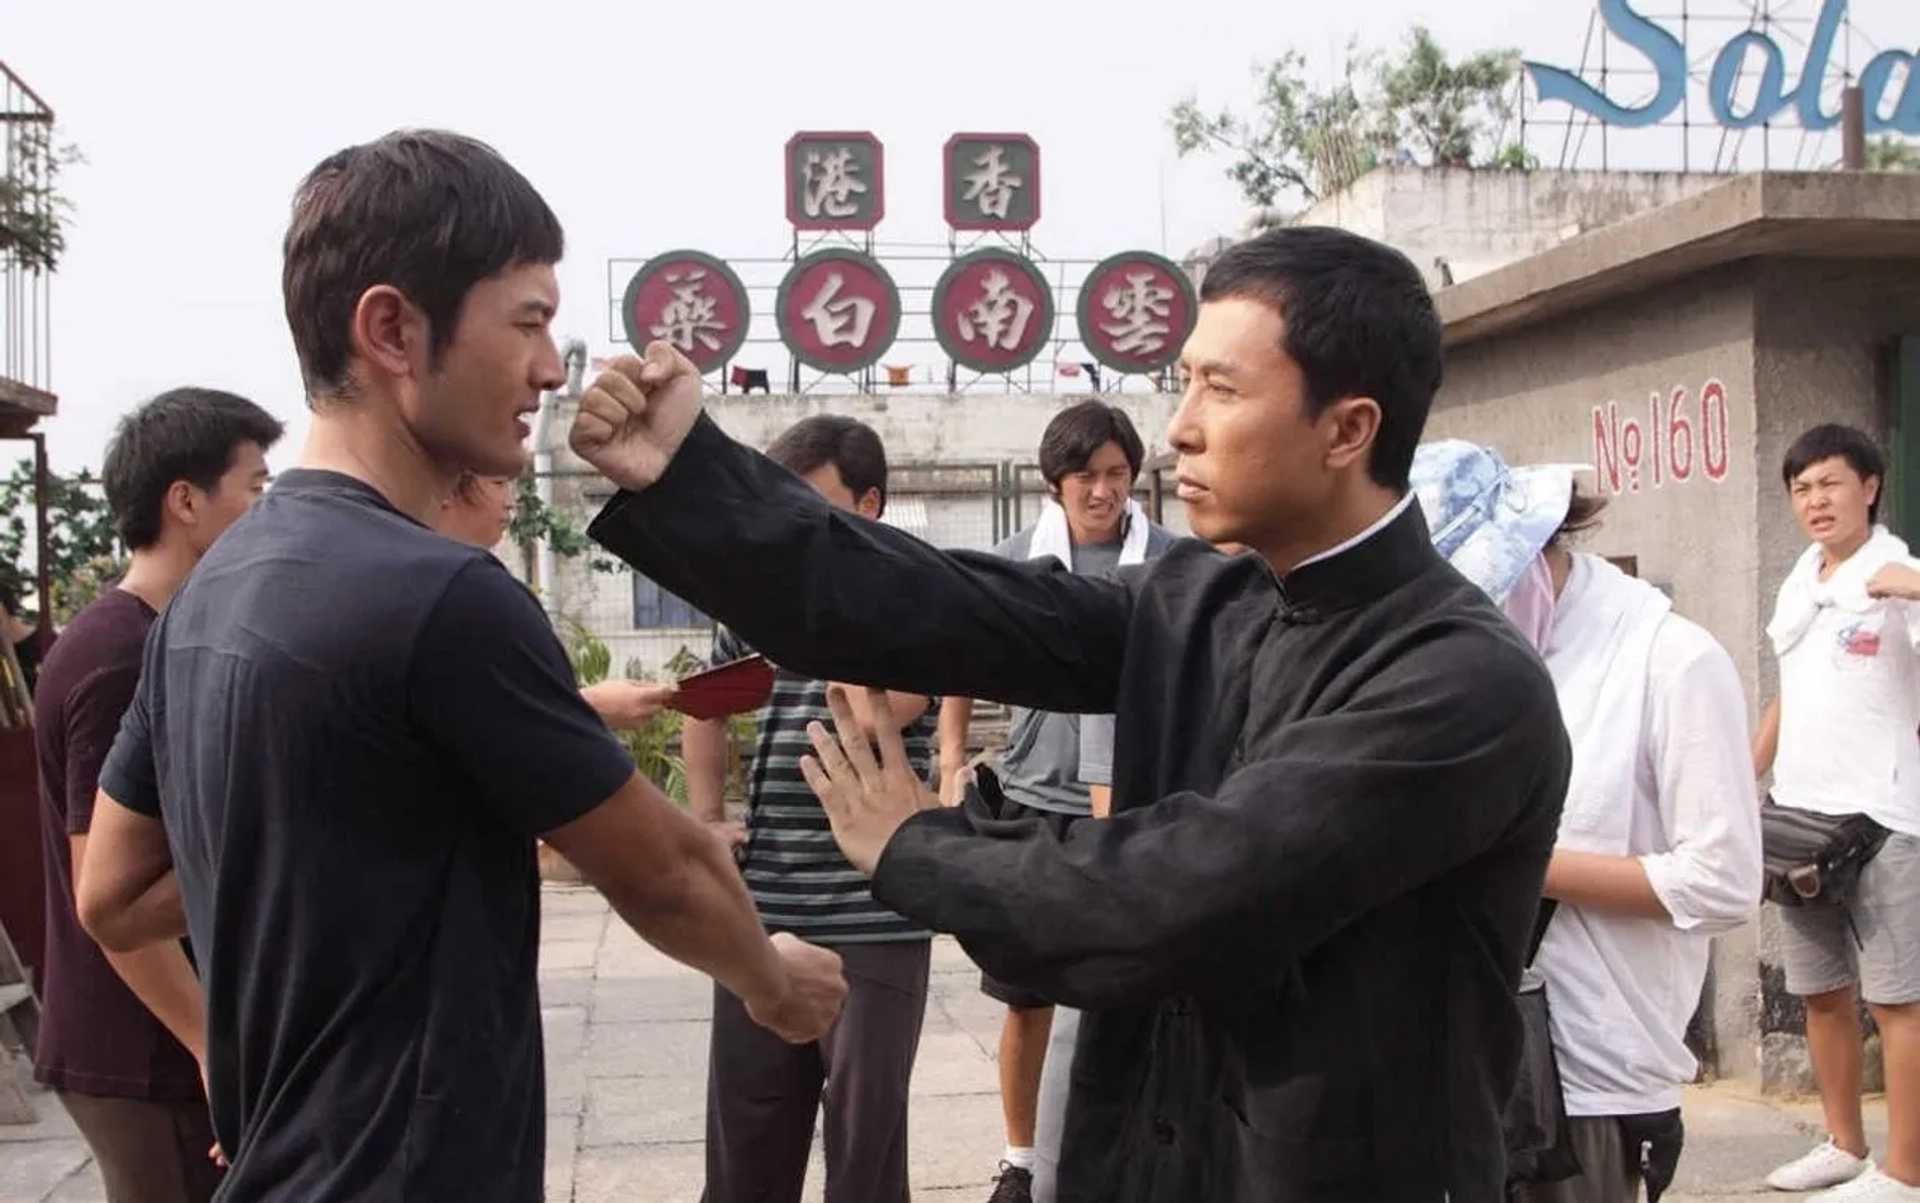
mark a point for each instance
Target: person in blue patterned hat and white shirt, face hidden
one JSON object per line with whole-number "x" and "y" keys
{"x": 1660, "y": 843}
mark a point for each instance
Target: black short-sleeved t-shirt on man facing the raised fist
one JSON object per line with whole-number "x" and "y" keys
{"x": 352, "y": 728}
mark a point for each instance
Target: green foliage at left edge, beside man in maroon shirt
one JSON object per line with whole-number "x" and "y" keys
{"x": 84, "y": 550}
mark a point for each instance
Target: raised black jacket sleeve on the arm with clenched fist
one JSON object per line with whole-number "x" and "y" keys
{"x": 846, "y": 600}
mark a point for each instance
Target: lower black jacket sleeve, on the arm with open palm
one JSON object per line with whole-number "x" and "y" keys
{"x": 1424, "y": 770}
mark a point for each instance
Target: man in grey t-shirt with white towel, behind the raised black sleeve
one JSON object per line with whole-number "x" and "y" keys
{"x": 1090, "y": 523}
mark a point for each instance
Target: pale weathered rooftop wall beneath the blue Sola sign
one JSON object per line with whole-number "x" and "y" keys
{"x": 1485, "y": 220}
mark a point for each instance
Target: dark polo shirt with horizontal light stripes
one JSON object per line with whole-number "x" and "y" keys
{"x": 796, "y": 872}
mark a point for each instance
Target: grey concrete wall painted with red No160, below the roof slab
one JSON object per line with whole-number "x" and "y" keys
{"x": 1639, "y": 389}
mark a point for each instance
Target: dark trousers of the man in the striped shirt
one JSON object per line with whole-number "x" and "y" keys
{"x": 763, "y": 1093}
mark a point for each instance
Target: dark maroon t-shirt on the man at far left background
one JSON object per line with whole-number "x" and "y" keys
{"x": 95, "y": 1035}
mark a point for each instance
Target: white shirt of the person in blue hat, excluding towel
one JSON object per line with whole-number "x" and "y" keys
{"x": 1621, "y": 991}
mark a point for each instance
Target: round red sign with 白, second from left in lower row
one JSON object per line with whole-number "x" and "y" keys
{"x": 838, "y": 312}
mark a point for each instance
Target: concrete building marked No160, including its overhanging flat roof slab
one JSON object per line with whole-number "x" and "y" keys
{"x": 1679, "y": 352}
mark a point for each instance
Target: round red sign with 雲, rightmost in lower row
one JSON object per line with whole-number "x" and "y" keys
{"x": 1136, "y": 312}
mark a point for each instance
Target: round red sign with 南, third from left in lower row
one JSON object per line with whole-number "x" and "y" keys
{"x": 994, "y": 312}
